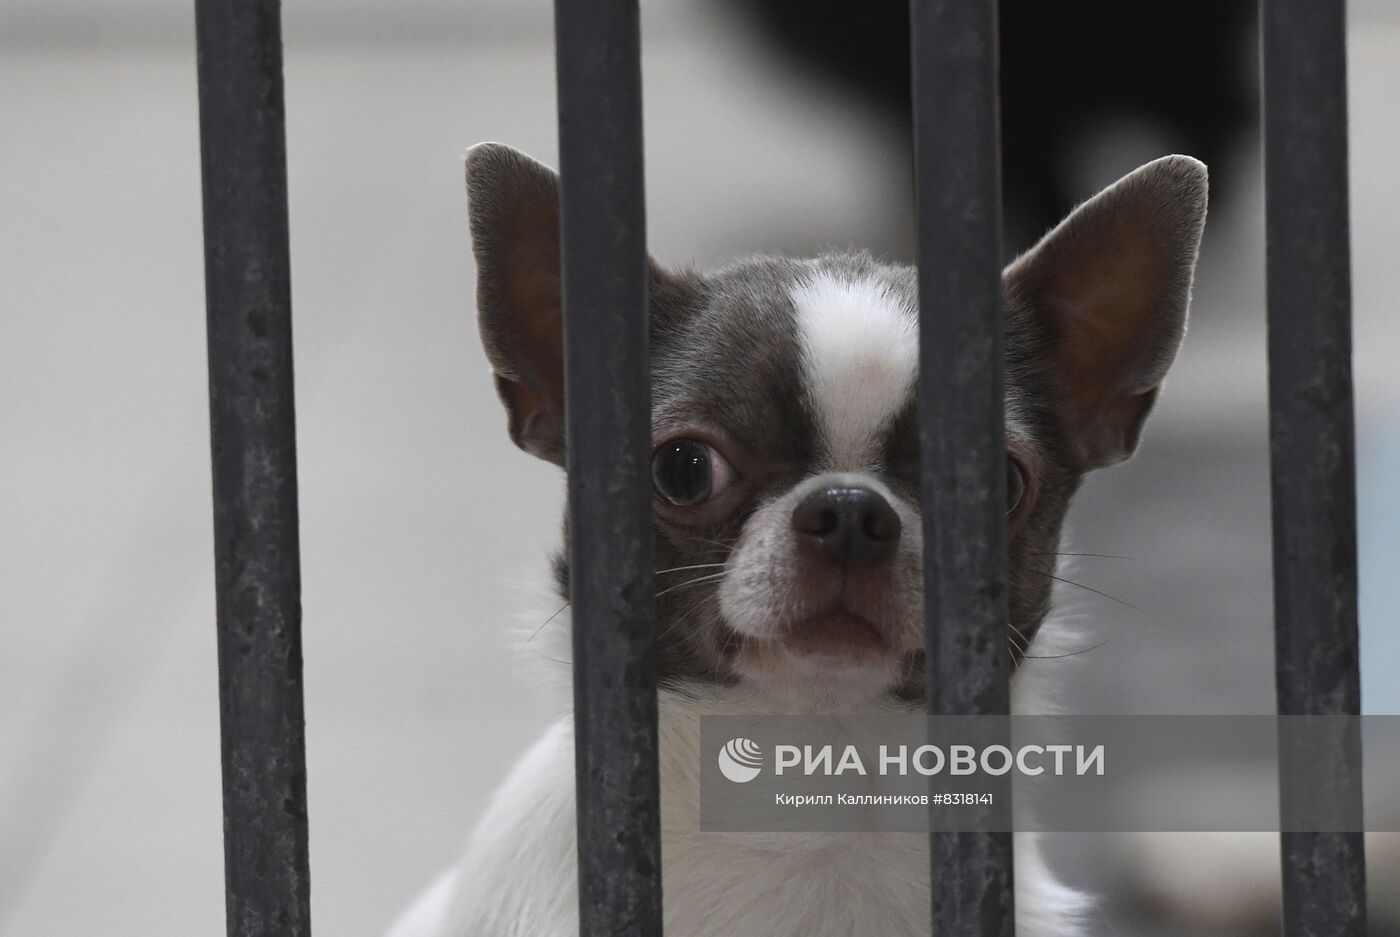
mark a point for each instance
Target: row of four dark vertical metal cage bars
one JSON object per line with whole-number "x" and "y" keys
{"x": 608, "y": 422}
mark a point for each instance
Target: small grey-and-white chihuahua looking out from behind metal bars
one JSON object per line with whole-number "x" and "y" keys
{"x": 787, "y": 529}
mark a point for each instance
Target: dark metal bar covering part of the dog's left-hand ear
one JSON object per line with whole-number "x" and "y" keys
{"x": 610, "y": 466}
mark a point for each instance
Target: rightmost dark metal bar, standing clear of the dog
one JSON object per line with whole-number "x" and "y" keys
{"x": 1312, "y": 433}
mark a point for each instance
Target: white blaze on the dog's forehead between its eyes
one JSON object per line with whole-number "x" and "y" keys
{"x": 860, "y": 361}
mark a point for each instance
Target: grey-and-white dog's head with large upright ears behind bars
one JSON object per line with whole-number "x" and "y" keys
{"x": 786, "y": 432}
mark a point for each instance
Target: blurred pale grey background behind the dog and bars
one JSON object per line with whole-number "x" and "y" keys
{"x": 422, "y": 526}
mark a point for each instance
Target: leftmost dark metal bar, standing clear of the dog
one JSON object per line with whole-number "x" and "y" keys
{"x": 258, "y": 576}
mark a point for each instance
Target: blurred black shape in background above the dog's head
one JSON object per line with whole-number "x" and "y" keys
{"x": 1067, "y": 69}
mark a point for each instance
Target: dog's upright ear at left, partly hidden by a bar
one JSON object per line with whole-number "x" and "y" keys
{"x": 513, "y": 202}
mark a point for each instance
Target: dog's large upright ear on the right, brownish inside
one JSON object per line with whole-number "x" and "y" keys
{"x": 1111, "y": 286}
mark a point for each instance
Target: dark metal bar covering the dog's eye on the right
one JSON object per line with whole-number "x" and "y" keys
{"x": 958, "y": 170}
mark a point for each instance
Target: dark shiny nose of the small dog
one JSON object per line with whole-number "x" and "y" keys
{"x": 853, "y": 526}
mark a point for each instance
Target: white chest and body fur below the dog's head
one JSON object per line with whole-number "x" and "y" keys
{"x": 519, "y": 877}
